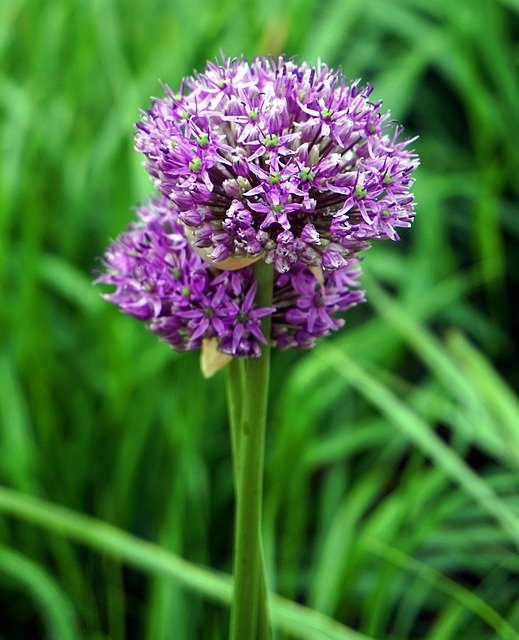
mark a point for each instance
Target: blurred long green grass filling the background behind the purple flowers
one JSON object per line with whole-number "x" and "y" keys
{"x": 391, "y": 497}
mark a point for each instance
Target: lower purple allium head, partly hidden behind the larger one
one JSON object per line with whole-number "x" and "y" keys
{"x": 160, "y": 279}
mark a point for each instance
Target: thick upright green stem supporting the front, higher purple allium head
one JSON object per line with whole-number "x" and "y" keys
{"x": 249, "y": 616}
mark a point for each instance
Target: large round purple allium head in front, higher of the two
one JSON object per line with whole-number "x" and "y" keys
{"x": 279, "y": 161}
